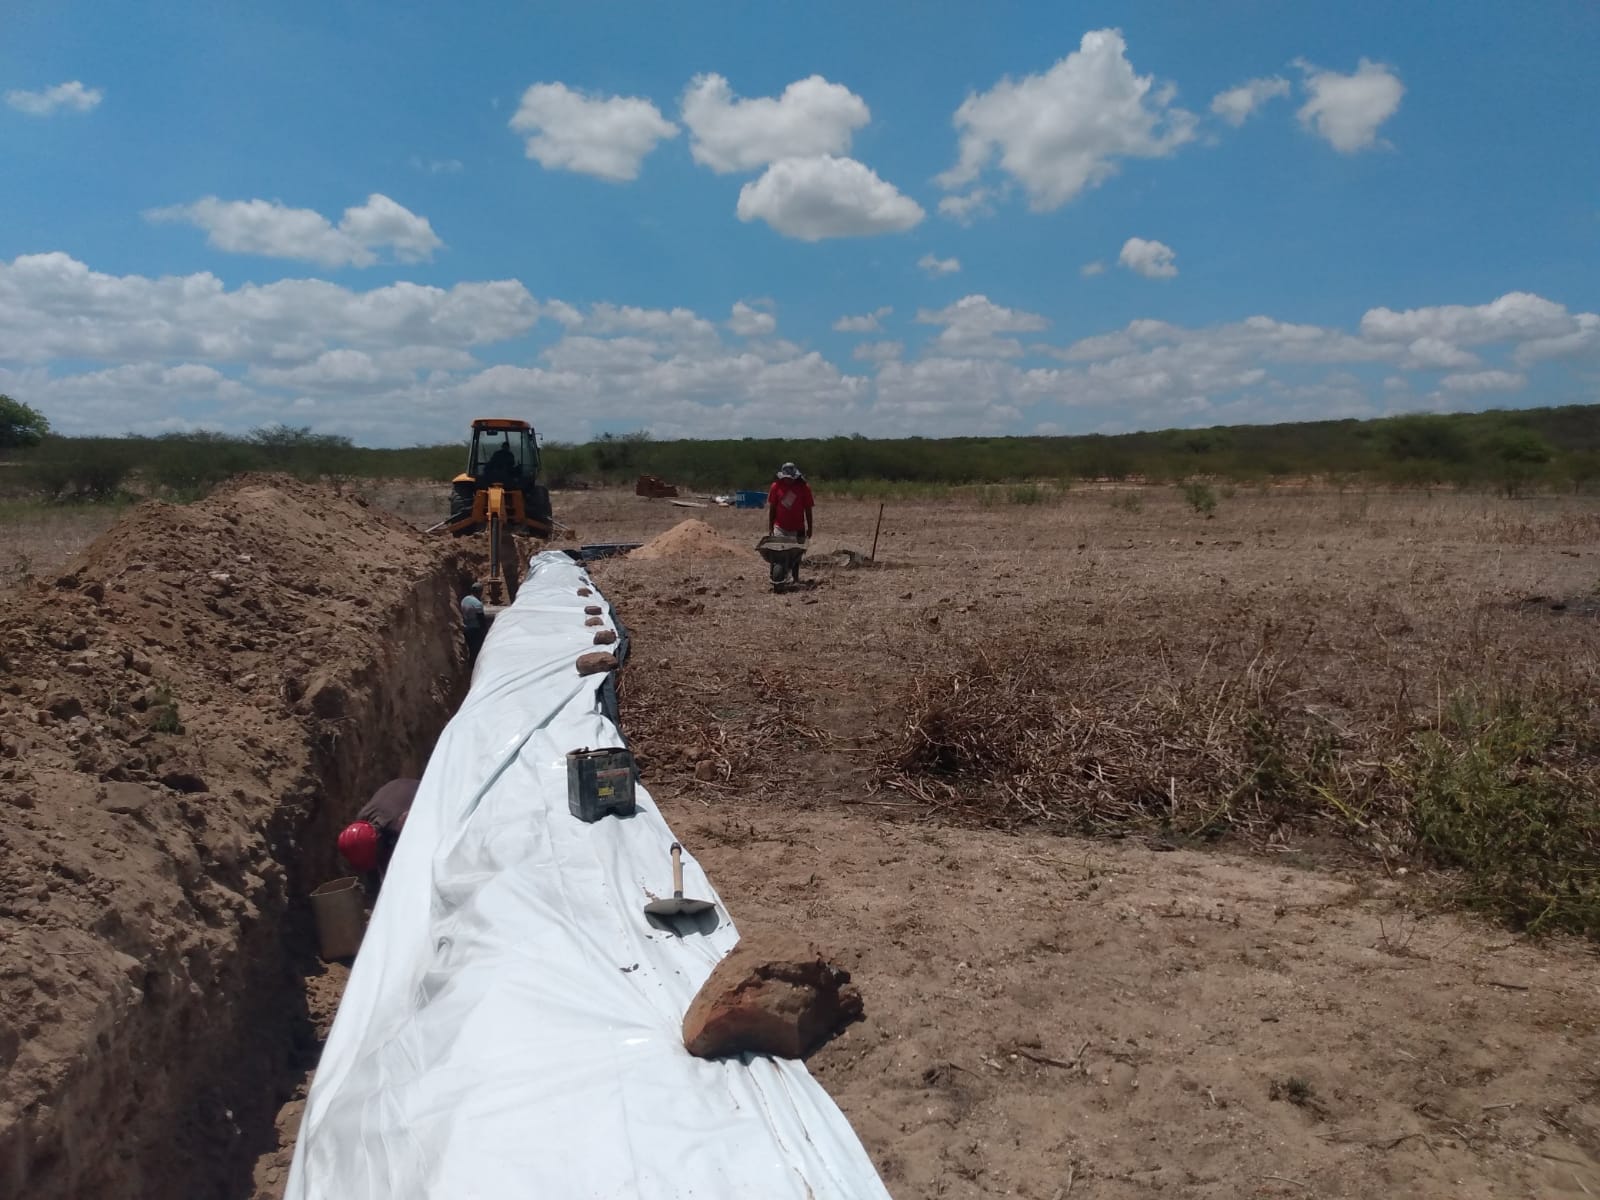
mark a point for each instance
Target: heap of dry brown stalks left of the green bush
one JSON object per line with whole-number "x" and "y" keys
{"x": 1052, "y": 735}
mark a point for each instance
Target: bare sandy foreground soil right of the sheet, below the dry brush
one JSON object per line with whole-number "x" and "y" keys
{"x": 1058, "y": 1018}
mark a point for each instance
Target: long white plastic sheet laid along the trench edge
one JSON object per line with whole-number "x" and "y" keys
{"x": 513, "y": 1026}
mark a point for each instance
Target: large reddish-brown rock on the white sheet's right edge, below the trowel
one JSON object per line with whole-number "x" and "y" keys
{"x": 775, "y": 994}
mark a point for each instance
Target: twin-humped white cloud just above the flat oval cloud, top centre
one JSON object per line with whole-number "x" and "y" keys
{"x": 812, "y": 118}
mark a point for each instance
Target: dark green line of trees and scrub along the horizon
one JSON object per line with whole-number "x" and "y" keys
{"x": 1513, "y": 450}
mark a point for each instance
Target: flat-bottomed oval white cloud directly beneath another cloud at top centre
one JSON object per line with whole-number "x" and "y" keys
{"x": 814, "y": 199}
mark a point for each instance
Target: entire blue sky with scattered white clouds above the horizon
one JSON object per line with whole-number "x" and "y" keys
{"x": 793, "y": 220}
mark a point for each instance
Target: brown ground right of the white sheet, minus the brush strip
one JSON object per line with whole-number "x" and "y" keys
{"x": 1289, "y": 1014}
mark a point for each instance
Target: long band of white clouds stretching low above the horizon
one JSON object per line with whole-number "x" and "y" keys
{"x": 399, "y": 364}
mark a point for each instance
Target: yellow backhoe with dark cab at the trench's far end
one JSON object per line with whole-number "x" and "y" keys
{"x": 500, "y": 494}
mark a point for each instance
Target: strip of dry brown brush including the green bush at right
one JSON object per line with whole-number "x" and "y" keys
{"x": 1497, "y": 783}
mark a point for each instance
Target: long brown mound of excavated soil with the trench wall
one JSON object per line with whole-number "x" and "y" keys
{"x": 186, "y": 718}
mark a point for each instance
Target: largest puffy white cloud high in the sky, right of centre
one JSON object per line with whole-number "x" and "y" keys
{"x": 1065, "y": 130}
